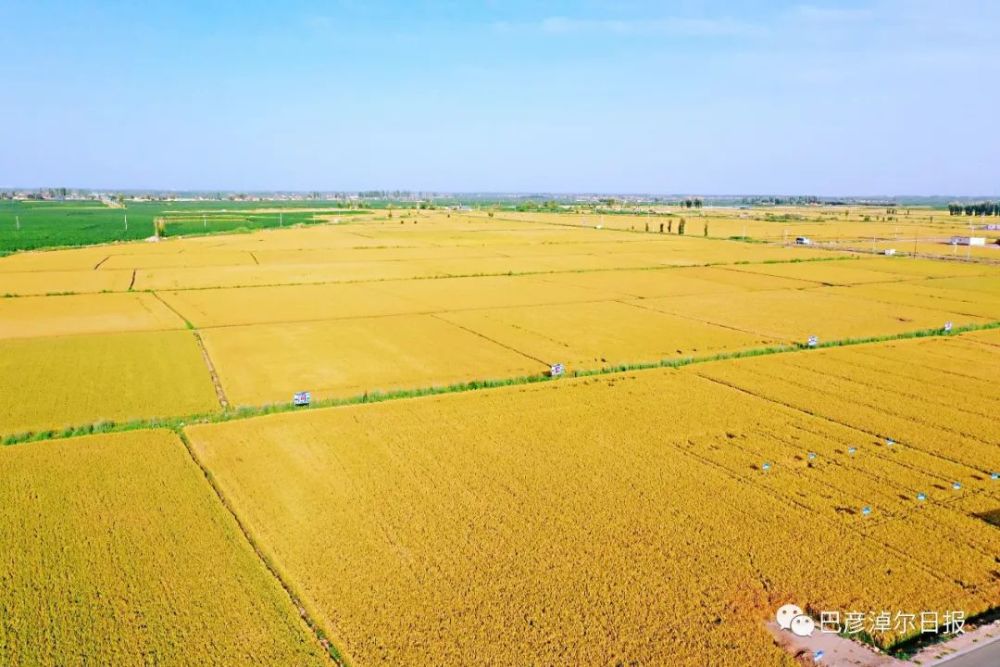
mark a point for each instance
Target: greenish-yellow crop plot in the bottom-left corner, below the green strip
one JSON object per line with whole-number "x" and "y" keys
{"x": 116, "y": 551}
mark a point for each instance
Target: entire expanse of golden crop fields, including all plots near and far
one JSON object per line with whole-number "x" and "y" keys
{"x": 697, "y": 467}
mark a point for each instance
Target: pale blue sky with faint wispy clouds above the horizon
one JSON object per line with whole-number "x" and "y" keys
{"x": 861, "y": 97}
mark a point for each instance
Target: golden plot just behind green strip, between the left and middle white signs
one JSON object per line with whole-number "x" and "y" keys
{"x": 269, "y": 362}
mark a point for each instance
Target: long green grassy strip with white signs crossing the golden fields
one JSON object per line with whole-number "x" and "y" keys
{"x": 248, "y": 412}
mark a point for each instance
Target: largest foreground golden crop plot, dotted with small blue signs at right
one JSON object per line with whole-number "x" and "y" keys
{"x": 598, "y": 526}
